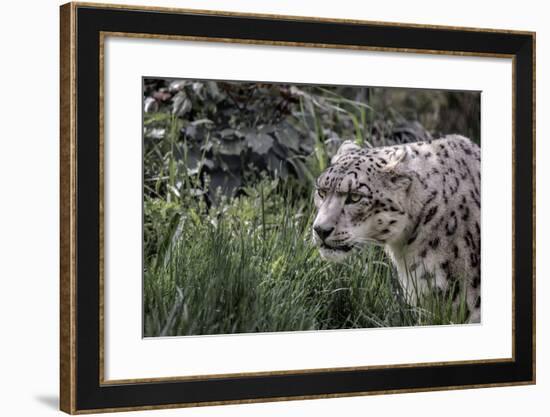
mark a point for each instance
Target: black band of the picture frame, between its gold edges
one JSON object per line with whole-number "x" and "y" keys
{"x": 91, "y": 395}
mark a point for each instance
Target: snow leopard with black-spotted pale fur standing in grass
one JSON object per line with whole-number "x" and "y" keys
{"x": 420, "y": 201}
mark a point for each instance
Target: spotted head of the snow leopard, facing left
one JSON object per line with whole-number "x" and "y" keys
{"x": 360, "y": 198}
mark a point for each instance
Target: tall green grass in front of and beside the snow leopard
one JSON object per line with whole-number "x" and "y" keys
{"x": 250, "y": 266}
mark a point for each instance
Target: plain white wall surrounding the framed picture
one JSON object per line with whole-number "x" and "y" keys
{"x": 29, "y": 208}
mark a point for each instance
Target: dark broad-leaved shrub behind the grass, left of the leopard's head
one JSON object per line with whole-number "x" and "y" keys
{"x": 226, "y": 130}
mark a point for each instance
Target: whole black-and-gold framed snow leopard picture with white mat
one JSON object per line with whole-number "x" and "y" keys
{"x": 264, "y": 208}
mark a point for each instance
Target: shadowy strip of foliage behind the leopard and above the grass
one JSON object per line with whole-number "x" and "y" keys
{"x": 233, "y": 131}
